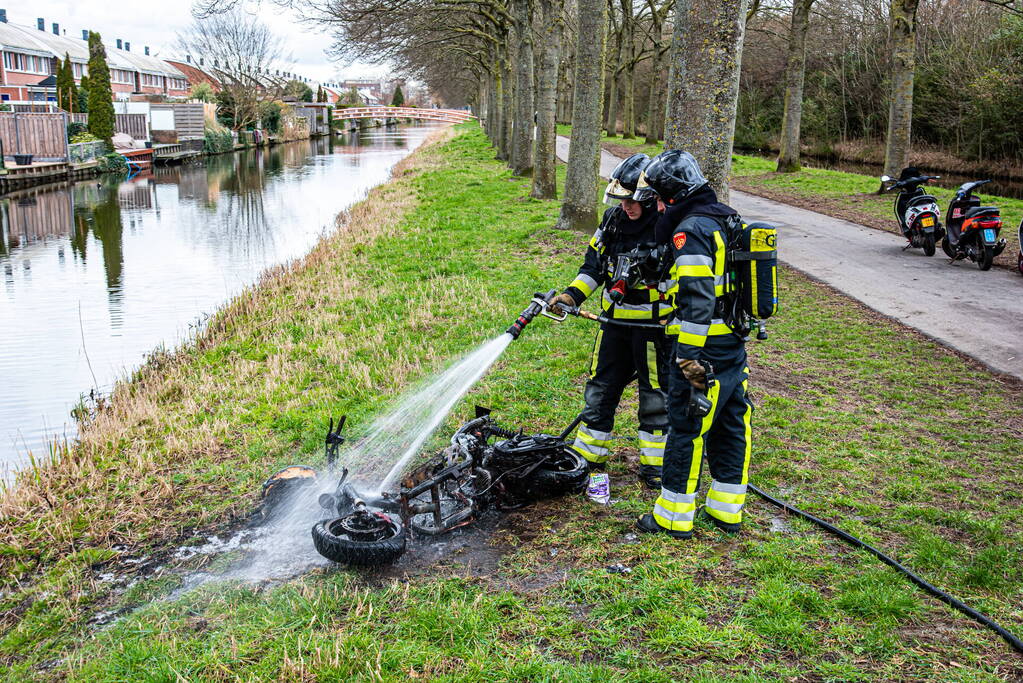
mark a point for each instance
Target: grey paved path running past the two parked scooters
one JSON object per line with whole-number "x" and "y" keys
{"x": 984, "y": 316}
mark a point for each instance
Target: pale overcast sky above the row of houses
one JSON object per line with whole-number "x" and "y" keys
{"x": 157, "y": 24}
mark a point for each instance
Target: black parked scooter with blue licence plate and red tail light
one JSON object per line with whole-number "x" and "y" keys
{"x": 973, "y": 231}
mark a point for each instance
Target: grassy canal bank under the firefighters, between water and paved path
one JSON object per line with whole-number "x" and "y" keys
{"x": 860, "y": 421}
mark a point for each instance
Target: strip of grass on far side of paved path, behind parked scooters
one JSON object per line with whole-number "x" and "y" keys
{"x": 848, "y": 196}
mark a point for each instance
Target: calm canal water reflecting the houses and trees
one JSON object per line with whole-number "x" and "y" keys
{"x": 98, "y": 275}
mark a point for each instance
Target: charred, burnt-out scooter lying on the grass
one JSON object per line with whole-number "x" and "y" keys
{"x": 474, "y": 474}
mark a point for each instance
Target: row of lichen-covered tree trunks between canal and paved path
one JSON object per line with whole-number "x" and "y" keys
{"x": 519, "y": 96}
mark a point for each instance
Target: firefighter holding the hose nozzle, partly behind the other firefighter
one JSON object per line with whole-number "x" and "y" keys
{"x": 625, "y": 260}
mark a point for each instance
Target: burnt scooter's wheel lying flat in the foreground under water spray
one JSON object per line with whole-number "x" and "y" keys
{"x": 361, "y": 539}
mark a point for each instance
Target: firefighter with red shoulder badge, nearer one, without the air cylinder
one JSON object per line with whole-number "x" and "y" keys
{"x": 708, "y": 369}
